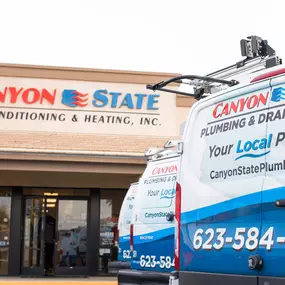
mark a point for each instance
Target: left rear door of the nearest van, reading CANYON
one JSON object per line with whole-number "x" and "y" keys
{"x": 221, "y": 178}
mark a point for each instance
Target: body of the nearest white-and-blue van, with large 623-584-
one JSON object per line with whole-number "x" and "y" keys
{"x": 232, "y": 181}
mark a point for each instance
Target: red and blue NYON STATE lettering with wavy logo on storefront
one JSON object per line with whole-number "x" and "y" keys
{"x": 77, "y": 99}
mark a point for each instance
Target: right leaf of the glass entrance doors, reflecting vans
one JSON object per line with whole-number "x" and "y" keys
{"x": 71, "y": 244}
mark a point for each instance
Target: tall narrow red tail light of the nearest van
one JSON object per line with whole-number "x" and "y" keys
{"x": 177, "y": 226}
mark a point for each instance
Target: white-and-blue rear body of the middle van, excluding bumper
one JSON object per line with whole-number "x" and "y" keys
{"x": 153, "y": 233}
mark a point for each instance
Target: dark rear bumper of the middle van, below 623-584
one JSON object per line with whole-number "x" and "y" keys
{"x": 139, "y": 277}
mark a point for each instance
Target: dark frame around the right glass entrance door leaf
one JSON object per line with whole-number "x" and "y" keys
{"x": 71, "y": 271}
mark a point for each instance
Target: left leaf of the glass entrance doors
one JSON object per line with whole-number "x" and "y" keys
{"x": 33, "y": 236}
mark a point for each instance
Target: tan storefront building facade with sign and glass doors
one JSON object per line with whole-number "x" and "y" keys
{"x": 72, "y": 140}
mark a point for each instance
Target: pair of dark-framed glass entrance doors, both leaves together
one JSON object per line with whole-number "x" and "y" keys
{"x": 54, "y": 236}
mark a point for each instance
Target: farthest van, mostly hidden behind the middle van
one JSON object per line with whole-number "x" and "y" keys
{"x": 124, "y": 223}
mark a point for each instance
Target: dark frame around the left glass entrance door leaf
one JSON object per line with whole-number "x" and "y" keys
{"x": 38, "y": 271}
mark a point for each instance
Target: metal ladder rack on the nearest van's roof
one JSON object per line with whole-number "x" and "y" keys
{"x": 259, "y": 55}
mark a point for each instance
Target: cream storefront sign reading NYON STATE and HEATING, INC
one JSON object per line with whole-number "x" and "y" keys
{"x": 85, "y": 107}
